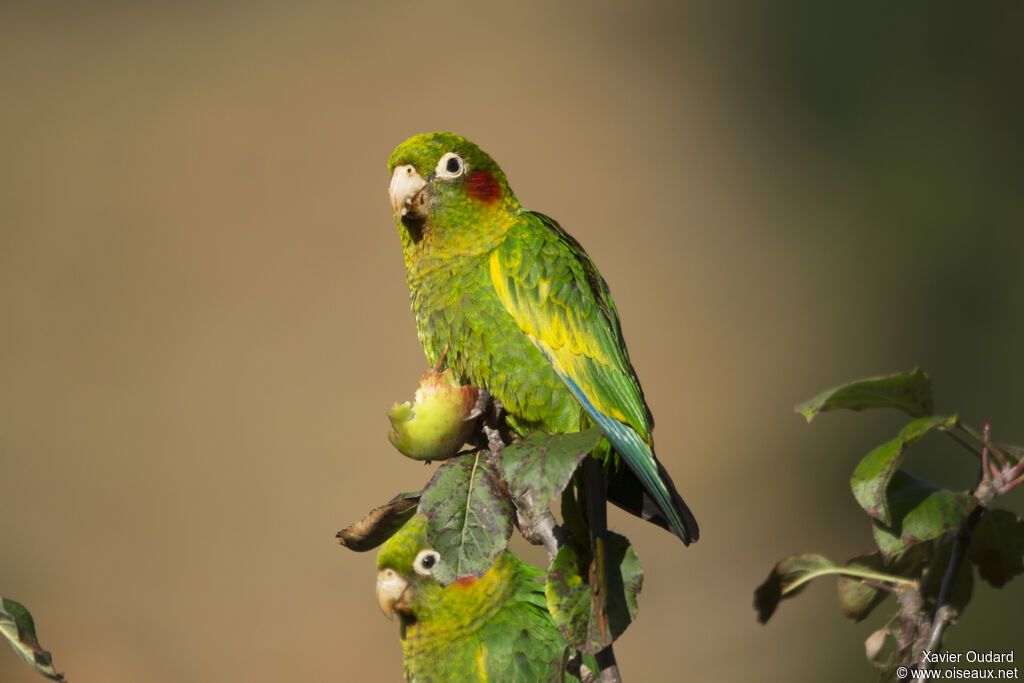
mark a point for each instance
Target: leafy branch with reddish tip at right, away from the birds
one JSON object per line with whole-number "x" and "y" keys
{"x": 929, "y": 540}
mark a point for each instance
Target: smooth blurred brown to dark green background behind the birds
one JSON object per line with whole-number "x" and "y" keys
{"x": 204, "y": 317}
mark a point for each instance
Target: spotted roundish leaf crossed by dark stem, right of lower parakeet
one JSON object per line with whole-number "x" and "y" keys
{"x": 571, "y": 599}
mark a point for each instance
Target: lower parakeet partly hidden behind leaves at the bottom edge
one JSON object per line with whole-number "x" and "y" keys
{"x": 495, "y": 628}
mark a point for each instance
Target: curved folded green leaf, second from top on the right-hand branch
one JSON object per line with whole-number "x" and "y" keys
{"x": 871, "y": 479}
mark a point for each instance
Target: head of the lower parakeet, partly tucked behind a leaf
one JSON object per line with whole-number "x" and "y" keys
{"x": 405, "y": 572}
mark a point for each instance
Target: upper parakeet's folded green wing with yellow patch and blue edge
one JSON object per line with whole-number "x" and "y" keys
{"x": 560, "y": 301}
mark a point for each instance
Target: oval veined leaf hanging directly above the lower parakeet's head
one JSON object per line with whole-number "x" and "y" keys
{"x": 471, "y": 517}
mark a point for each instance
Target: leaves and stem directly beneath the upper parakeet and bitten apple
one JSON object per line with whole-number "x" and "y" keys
{"x": 476, "y": 499}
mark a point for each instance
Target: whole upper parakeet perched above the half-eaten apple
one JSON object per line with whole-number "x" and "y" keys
{"x": 523, "y": 312}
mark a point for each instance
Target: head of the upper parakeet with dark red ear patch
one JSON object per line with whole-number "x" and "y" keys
{"x": 446, "y": 188}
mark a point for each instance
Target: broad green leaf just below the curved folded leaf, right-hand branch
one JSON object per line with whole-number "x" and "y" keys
{"x": 921, "y": 511}
